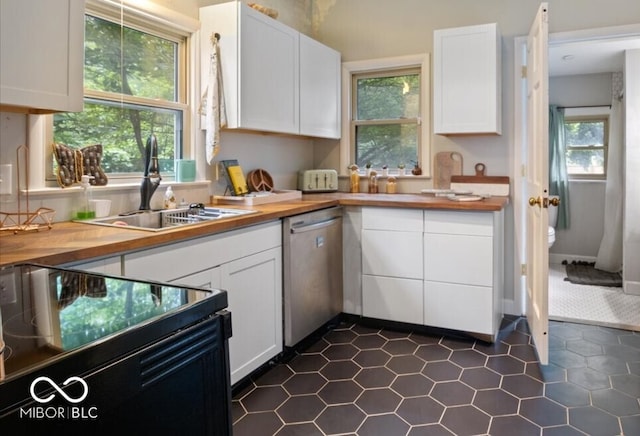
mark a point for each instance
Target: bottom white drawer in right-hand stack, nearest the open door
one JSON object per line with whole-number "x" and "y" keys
{"x": 459, "y": 307}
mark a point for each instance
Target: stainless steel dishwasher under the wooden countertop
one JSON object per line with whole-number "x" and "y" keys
{"x": 312, "y": 272}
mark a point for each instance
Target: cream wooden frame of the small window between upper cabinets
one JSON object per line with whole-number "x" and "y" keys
{"x": 420, "y": 62}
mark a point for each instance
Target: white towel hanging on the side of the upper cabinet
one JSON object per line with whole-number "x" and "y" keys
{"x": 212, "y": 106}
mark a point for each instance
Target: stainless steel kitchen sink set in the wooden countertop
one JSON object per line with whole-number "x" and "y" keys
{"x": 159, "y": 220}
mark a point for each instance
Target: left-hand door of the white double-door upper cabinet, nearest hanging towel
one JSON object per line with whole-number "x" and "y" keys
{"x": 269, "y": 74}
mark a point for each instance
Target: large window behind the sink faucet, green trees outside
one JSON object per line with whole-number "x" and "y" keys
{"x": 134, "y": 86}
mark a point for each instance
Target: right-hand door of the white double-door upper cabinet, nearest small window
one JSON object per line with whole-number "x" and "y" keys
{"x": 319, "y": 89}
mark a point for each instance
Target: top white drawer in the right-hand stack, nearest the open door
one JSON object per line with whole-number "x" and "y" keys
{"x": 459, "y": 222}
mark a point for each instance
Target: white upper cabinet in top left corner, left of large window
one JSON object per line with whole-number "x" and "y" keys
{"x": 41, "y": 55}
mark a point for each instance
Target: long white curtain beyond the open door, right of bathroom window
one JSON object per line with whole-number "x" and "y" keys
{"x": 610, "y": 253}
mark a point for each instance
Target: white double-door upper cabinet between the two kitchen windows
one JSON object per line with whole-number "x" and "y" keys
{"x": 275, "y": 79}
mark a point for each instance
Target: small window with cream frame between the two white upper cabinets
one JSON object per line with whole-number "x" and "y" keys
{"x": 388, "y": 100}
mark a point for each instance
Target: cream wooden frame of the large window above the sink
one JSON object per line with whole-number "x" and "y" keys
{"x": 158, "y": 21}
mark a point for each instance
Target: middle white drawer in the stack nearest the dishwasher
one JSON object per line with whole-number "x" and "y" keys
{"x": 392, "y": 253}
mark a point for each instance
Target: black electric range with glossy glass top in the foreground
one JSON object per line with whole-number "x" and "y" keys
{"x": 92, "y": 352}
